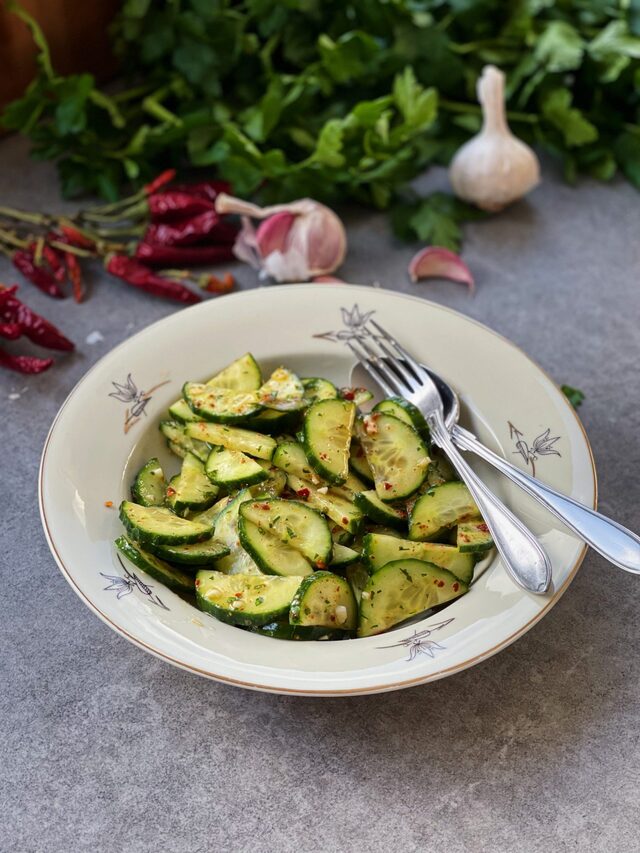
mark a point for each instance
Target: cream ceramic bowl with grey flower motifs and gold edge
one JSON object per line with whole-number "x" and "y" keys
{"x": 108, "y": 427}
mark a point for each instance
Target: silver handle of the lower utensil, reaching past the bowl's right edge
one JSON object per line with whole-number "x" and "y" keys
{"x": 617, "y": 544}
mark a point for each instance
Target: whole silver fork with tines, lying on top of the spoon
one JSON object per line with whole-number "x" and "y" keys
{"x": 397, "y": 372}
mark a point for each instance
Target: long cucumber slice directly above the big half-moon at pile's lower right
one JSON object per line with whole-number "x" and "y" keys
{"x": 379, "y": 549}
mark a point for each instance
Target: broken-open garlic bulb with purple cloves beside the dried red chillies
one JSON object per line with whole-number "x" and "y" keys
{"x": 295, "y": 242}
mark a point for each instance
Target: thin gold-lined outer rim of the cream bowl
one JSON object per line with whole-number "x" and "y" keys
{"x": 411, "y": 682}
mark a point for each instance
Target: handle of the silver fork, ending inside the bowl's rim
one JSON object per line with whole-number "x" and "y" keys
{"x": 523, "y": 556}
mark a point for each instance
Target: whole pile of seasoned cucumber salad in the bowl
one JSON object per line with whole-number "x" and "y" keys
{"x": 295, "y": 515}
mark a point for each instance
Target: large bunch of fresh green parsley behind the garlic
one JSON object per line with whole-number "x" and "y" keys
{"x": 337, "y": 100}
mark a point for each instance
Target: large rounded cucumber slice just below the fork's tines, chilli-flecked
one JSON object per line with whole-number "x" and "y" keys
{"x": 396, "y": 454}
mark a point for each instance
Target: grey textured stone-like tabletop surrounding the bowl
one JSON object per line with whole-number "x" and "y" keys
{"x": 105, "y": 748}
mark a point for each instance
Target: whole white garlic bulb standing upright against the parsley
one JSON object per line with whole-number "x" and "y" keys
{"x": 494, "y": 168}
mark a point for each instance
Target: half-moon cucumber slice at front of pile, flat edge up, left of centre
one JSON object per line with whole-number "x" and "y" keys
{"x": 244, "y": 599}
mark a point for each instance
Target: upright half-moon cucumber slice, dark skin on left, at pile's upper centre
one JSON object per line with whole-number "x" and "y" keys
{"x": 327, "y": 438}
